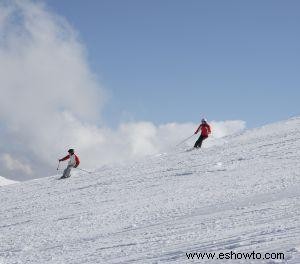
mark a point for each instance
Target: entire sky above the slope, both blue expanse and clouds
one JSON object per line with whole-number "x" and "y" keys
{"x": 161, "y": 65}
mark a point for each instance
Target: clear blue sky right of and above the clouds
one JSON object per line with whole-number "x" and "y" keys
{"x": 176, "y": 61}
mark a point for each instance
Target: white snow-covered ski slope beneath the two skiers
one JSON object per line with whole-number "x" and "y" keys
{"x": 241, "y": 195}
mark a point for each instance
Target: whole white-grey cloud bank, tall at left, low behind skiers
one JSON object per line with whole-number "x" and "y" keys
{"x": 51, "y": 101}
